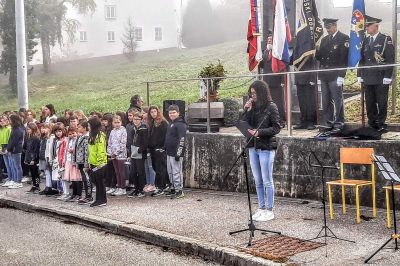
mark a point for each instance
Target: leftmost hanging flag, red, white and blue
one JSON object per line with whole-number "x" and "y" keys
{"x": 254, "y": 36}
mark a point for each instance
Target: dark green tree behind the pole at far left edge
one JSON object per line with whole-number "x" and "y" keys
{"x": 8, "y": 60}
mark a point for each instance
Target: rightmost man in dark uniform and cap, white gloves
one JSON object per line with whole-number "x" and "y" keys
{"x": 377, "y": 49}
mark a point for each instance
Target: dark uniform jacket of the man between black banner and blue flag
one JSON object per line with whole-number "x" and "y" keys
{"x": 333, "y": 53}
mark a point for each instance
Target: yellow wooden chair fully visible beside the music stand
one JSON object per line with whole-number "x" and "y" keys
{"x": 354, "y": 156}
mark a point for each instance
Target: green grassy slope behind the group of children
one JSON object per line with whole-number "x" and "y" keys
{"x": 106, "y": 84}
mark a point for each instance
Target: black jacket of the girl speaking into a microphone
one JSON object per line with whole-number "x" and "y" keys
{"x": 270, "y": 127}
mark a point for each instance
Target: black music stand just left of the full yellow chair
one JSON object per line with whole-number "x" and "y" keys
{"x": 324, "y": 230}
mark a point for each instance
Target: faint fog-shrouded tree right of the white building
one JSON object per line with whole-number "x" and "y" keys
{"x": 200, "y": 26}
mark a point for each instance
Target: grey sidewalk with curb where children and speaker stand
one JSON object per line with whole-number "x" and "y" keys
{"x": 199, "y": 224}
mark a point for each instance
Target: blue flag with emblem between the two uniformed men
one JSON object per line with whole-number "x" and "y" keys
{"x": 357, "y": 33}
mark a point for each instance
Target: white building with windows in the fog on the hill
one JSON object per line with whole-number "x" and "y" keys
{"x": 157, "y": 26}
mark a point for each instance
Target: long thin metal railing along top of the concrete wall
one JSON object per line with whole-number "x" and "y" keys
{"x": 289, "y": 75}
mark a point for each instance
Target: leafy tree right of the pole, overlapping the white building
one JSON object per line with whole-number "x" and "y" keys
{"x": 52, "y": 21}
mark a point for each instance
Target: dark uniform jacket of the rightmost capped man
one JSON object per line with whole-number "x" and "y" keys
{"x": 380, "y": 52}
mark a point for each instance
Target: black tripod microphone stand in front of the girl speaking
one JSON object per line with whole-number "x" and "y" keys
{"x": 251, "y": 227}
